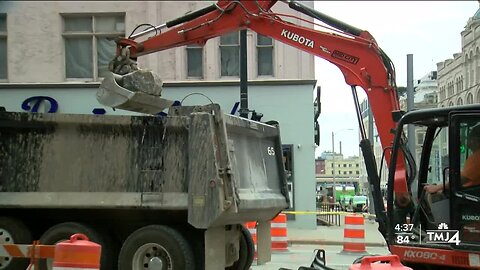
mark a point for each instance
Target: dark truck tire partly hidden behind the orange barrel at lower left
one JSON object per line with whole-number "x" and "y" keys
{"x": 63, "y": 231}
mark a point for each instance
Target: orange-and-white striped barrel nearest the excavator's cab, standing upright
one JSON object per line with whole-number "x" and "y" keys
{"x": 354, "y": 234}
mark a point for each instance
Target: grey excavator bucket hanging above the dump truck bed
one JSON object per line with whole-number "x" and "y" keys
{"x": 112, "y": 94}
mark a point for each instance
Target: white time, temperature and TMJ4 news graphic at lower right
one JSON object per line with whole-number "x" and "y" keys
{"x": 404, "y": 234}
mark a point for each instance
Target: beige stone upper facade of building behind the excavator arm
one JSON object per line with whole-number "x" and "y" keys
{"x": 71, "y": 42}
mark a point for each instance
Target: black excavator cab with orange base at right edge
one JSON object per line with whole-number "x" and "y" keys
{"x": 440, "y": 228}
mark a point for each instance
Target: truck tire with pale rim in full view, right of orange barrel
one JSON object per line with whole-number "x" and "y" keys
{"x": 155, "y": 246}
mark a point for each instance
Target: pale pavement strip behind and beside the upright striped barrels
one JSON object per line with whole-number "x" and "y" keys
{"x": 333, "y": 235}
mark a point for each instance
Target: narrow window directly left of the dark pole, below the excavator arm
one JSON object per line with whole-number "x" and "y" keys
{"x": 230, "y": 54}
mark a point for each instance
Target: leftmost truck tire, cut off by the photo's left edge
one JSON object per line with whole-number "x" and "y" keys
{"x": 14, "y": 231}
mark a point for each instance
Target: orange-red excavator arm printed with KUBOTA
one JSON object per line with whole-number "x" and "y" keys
{"x": 354, "y": 51}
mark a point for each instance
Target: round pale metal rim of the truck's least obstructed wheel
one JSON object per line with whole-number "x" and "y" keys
{"x": 152, "y": 256}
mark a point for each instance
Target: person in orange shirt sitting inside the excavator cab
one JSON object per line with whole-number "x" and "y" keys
{"x": 470, "y": 175}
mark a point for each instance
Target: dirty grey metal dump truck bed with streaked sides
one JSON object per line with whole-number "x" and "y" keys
{"x": 220, "y": 168}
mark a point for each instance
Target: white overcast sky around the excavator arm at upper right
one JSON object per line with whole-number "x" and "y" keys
{"x": 430, "y": 30}
